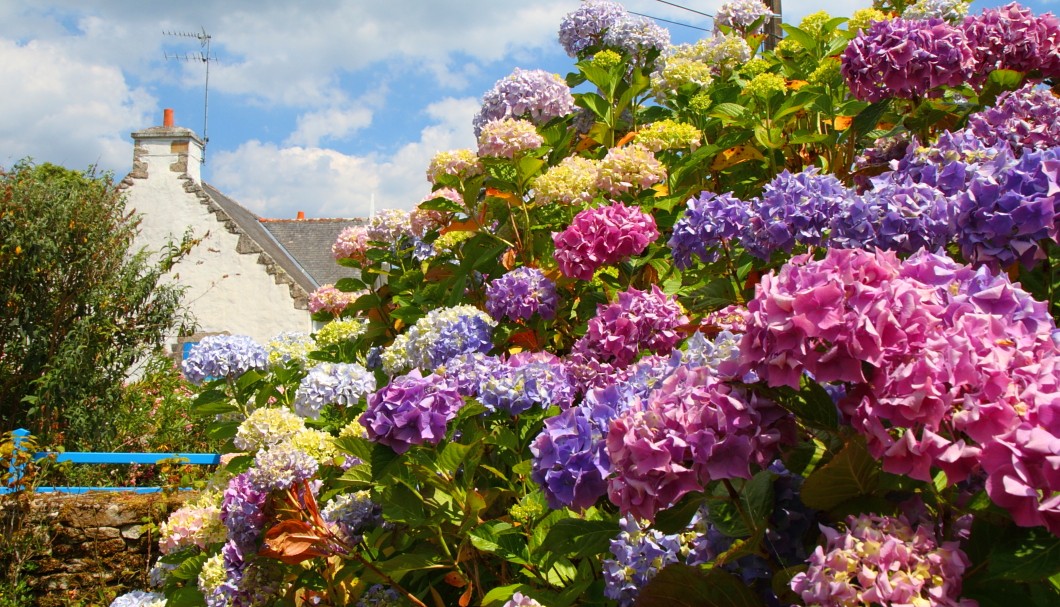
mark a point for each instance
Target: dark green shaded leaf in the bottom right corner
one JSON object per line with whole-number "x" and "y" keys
{"x": 1026, "y": 556}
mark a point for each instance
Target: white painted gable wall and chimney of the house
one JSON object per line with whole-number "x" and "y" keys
{"x": 226, "y": 291}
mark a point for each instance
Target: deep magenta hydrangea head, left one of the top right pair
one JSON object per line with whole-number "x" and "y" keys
{"x": 907, "y": 59}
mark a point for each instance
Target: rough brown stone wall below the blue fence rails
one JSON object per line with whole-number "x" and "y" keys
{"x": 90, "y": 546}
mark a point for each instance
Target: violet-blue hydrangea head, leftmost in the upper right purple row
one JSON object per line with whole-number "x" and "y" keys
{"x": 711, "y": 221}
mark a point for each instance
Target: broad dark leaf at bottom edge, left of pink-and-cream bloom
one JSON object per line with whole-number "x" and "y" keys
{"x": 683, "y": 586}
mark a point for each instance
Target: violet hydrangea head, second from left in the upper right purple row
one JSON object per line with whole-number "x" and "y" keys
{"x": 793, "y": 210}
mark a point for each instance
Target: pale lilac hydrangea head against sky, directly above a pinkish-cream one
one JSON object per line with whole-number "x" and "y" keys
{"x": 536, "y": 95}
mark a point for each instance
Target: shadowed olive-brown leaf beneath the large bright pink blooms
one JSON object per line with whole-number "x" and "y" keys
{"x": 853, "y": 473}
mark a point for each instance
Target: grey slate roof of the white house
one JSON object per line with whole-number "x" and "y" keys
{"x": 302, "y": 247}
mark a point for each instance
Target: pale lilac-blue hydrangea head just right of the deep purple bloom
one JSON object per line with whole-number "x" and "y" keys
{"x": 518, "y": 386}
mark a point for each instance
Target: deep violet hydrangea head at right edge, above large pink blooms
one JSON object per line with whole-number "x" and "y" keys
{"x": 1009, "y": 209}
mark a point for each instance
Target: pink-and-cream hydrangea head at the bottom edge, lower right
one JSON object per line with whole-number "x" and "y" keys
{"x": 884, "y": 561}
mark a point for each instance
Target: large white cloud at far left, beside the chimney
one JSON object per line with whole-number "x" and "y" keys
{"x": 61, "y": 109}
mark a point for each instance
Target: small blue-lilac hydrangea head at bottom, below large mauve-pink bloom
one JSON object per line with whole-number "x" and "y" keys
{"x": 640, "y": 554}
